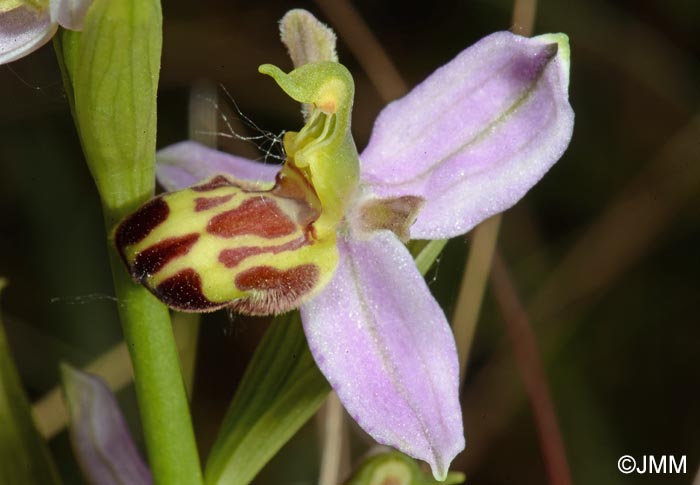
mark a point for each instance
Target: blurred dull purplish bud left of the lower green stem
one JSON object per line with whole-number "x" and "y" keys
{"x": 101, "y": 441}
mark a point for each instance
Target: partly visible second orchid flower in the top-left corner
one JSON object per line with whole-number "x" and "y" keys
{"x": 26, "y": 25}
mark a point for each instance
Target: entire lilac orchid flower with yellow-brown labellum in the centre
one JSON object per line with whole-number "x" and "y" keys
{"x": 325, "y": 231}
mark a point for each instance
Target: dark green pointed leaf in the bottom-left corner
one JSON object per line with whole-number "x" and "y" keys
{"x": 24, "y": 457}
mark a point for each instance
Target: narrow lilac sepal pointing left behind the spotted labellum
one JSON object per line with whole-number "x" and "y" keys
{"x": 184, "y": 164}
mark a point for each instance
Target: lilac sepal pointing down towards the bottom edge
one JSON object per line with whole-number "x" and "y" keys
{"x": 383, "y": 343}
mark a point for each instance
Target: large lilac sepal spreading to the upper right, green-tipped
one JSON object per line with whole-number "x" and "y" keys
{"x": 476, "y": 135}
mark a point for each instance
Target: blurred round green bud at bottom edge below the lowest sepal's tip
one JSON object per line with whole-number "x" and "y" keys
{"x": 397, "y": 469}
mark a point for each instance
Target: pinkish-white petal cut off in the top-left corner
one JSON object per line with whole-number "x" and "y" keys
{"x": 23, "y": 31}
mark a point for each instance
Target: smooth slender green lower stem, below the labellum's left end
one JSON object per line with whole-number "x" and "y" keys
{"x": 165, "y": 416}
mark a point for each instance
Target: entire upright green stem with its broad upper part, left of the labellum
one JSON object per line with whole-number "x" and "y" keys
{"x": 111, "y": 70}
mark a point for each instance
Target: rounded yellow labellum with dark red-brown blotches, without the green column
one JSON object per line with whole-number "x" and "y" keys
{"x": 225, "y": 243}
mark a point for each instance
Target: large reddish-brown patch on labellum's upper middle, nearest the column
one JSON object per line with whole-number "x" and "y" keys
{"x": 257, "y": 216}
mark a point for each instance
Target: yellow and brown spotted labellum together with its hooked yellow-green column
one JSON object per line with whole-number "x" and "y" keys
{"x": 258, "y": 250}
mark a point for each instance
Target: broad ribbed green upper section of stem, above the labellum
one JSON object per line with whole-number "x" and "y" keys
{"x": 112, "y": 70}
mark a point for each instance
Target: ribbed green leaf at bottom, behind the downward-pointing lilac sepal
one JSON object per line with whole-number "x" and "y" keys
{"x": 282, "y": 388}
